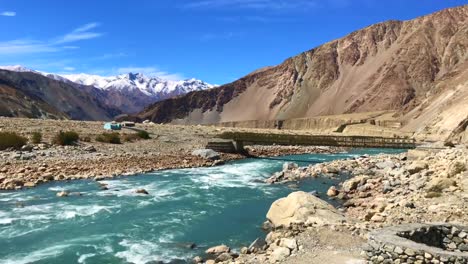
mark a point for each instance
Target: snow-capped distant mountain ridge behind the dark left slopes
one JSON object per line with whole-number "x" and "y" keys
{"x": 130, "y": 92}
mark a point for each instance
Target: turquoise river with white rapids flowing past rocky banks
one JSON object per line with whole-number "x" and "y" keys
{"x": 205, "y": 206}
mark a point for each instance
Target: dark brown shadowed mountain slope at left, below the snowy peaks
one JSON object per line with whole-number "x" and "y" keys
{"x": 32, "y": 95}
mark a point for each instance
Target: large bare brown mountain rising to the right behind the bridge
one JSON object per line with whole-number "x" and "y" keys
{"x": 418, "y": 68}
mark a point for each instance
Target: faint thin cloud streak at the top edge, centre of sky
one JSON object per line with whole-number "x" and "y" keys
{"x": 253, "y": 4}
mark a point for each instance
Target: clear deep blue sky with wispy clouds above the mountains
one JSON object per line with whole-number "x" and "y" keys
{"x": 214, "y": 40}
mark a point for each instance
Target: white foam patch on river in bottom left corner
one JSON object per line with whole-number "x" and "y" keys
{"x": 34, "y": 256}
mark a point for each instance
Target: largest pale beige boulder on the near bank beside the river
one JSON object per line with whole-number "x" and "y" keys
{"x": 301, "y": 208}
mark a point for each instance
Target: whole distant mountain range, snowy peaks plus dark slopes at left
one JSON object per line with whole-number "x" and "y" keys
{"x": 125, "y": 93}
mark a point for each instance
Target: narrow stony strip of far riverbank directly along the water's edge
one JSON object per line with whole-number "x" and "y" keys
{"x": 45, "y": 163}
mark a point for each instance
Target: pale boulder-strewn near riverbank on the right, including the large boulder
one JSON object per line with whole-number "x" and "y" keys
{"x": 421, "y": 186}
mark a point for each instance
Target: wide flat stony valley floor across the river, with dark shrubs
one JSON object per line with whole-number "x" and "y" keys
{"x": 169, "y": 147}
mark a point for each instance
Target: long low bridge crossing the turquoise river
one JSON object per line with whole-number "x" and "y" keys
{"x": 240, "y": 139}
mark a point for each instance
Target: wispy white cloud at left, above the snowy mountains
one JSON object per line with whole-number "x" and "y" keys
{"x": 28, "y": 46}
